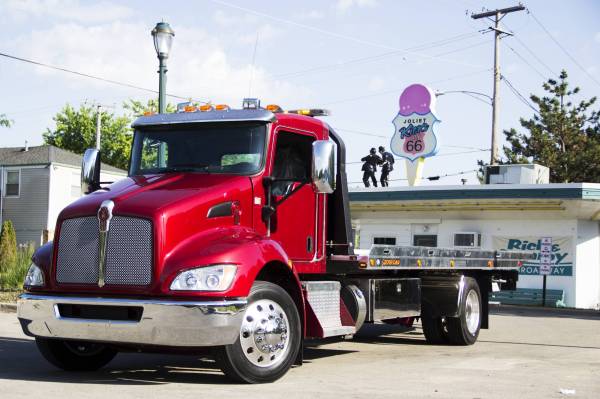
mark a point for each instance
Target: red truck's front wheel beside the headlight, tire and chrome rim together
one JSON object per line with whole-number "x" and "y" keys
{"x": 269, "y": 339}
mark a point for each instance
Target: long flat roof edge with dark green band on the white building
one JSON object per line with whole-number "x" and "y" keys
{"x": 581, "y": 191}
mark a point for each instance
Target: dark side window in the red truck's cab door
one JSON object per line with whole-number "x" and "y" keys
{"x": 293, "y": 156}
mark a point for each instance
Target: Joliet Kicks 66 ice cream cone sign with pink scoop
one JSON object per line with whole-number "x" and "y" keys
{"x": 414, "y": 138}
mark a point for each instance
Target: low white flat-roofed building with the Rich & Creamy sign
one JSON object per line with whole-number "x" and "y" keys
{"x": 499, "y": 216}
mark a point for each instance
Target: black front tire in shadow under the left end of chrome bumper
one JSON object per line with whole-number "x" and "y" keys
{"x": 75, "y": 355}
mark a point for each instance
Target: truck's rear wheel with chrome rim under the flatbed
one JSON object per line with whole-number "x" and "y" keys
{"x": 458, "y": 327}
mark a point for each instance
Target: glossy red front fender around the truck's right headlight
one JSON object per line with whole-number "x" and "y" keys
{"x": 234, "y": 245}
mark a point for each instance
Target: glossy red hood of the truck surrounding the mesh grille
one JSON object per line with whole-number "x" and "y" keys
{"x": 177, "y": 204}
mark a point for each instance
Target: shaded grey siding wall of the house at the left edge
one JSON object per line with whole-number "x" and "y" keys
{"x": 29, "y": 211}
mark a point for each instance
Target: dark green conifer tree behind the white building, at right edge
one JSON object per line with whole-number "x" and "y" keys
{"x": 564, "y": 135}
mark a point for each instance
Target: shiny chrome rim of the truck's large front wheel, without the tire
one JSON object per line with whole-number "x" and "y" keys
{"x": 264, "y": 334}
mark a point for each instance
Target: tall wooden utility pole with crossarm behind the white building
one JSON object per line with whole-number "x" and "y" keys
{"x": 497, "y": 14}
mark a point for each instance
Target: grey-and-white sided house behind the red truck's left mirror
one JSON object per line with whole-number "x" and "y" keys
{"x": 36, "y": 183}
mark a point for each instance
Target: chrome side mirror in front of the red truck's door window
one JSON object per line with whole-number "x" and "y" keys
{"x": 324, "y": 166}
